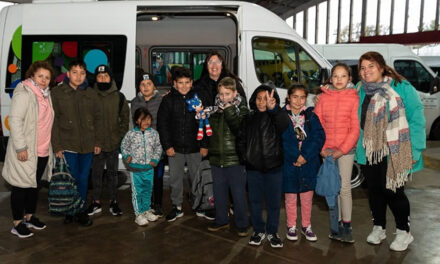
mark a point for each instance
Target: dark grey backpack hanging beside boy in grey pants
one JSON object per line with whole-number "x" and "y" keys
{"x": 202, "y": 188}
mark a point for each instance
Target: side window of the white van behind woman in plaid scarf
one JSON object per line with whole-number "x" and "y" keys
{"x": 415, "y": 73}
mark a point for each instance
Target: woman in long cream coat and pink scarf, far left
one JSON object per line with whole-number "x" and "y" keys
{"x": 29, "y": 152}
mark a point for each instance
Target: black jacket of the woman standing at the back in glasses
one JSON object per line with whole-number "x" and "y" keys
{"x": 206, "y": 88}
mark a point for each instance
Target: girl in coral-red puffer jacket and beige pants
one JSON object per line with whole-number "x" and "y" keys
{"x": 337, "y": 108}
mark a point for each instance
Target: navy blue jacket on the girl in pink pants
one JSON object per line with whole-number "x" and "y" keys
{"x": 302, "y": 179}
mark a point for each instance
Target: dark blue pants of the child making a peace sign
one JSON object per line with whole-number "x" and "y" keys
{"x": 265, "y": 186}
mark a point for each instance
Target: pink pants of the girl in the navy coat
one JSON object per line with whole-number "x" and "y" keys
{"x": 306, "y": 208}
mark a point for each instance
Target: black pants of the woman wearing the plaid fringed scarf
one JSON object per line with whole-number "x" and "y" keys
{"x": 379, "y": 197}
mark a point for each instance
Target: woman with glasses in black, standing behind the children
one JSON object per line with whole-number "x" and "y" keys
{"x": 213, "y": 71}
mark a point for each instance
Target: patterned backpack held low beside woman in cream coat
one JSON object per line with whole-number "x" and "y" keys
{"x": 64, "y": 197}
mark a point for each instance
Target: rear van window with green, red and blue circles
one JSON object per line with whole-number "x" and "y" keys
{"x": 60, "y": 50}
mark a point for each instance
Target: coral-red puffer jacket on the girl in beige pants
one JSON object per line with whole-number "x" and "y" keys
{"x": 338, "y": 113}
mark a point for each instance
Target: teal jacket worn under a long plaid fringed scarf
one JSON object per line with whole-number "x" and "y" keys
{"x": 414, "y": 116}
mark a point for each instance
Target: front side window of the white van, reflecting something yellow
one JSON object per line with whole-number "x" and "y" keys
{"x": 276, "y": 60}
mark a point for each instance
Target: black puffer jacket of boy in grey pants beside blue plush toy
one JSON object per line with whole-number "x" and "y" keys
{"x": 177, "y": 126}
